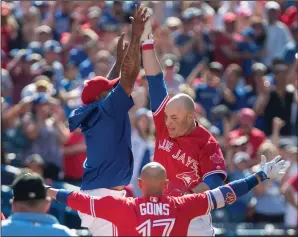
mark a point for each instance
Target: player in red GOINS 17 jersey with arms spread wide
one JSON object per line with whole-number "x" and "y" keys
{"x": 157, "y": 214}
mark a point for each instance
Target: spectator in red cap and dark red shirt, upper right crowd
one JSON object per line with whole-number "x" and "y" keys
{"x": 226, "y": 42}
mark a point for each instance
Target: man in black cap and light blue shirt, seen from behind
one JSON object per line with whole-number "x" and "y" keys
{"x": 30, "y": 206}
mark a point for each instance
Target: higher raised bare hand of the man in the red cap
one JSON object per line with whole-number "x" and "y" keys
{"x": 139, "y": 20}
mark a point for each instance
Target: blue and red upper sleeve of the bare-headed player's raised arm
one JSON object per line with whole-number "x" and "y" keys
{"x": 158, "y": 98}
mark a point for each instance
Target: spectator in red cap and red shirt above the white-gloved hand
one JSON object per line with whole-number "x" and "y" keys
{"x": 255, "y": 136}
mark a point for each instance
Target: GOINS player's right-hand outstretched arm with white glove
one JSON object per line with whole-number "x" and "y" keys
{"x": 200, "y": 204}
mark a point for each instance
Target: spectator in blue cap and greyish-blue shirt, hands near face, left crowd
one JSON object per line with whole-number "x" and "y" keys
{"x": 45, "y": 125}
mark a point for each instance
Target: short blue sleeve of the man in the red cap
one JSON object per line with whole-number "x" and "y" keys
{"x": 117, "y": 103}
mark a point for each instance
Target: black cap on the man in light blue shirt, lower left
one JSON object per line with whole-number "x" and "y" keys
{"x": 28, "y": 187}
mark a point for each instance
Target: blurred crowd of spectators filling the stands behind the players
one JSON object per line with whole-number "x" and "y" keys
{"x": 236, "y": 59}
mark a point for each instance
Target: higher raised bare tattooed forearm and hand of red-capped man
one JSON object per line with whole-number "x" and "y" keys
{"x": 132, "y": 60}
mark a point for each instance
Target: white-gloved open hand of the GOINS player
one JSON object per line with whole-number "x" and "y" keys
{"x": 274, "y": 168}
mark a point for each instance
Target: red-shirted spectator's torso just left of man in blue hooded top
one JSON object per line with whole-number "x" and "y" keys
{"x": 74, "y": 156}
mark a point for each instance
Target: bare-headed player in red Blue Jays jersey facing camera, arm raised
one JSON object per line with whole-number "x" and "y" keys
{"x": 190, "y": 154}
